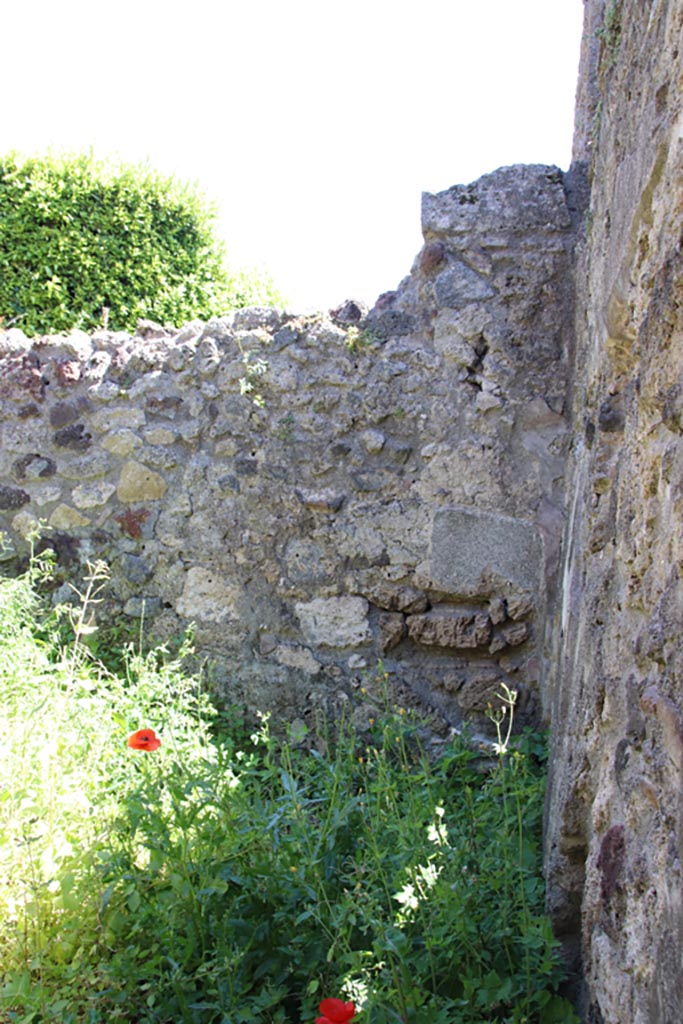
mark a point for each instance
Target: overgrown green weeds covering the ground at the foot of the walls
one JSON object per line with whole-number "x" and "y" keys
{"x": 234, "y": 880}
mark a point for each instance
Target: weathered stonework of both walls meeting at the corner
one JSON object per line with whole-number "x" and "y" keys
{"x": 426, "y": 472}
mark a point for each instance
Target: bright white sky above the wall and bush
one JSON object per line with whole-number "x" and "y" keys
{"x": 315, "y": 126}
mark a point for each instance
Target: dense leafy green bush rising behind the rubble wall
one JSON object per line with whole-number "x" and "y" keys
{"x": 78, "y": 237}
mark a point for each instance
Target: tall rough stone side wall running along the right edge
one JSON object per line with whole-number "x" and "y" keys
{"x": 615, "y": 830}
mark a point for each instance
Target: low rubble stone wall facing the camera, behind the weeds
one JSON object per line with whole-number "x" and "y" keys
{"x": 397, "y": 495}
